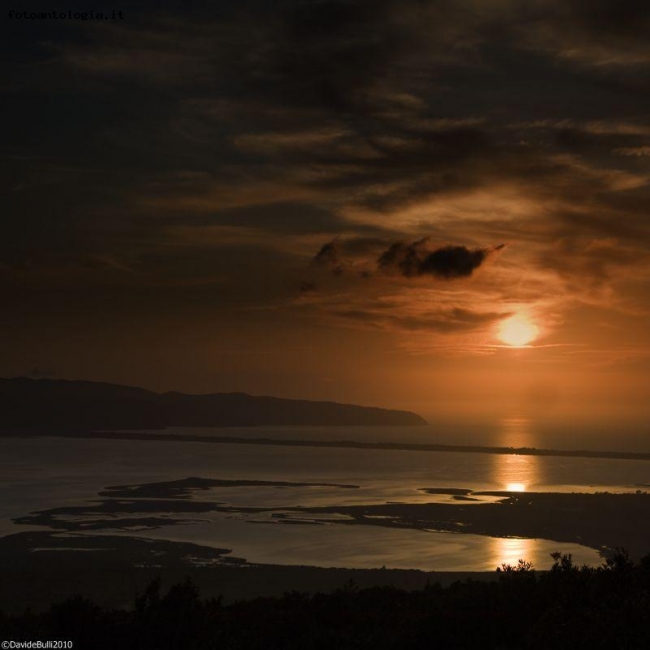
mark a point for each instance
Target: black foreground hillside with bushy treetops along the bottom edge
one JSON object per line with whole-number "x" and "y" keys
{"x": 566, "y": 607}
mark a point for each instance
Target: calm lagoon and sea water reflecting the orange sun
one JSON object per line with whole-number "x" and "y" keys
{"x": 43, "y": 473}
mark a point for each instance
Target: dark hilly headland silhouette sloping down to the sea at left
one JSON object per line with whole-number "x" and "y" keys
{"x": 47, "y": 404}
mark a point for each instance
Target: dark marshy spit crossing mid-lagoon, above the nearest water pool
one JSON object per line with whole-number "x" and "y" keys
{"x": 599, "y": 521}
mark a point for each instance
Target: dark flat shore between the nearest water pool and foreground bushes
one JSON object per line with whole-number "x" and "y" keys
{"x": 112, "y": 570}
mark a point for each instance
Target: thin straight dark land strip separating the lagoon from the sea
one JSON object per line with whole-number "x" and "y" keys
{"x": 351, "y": 444}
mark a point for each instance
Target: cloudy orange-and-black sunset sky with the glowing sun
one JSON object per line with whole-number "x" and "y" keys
{"x": 436, "y": 205}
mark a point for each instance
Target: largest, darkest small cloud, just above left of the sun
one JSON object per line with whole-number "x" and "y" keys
{"x": 448, "y": 262}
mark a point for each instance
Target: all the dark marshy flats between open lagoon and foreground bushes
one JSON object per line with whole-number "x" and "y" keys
{"x": 87, "y": 549}
